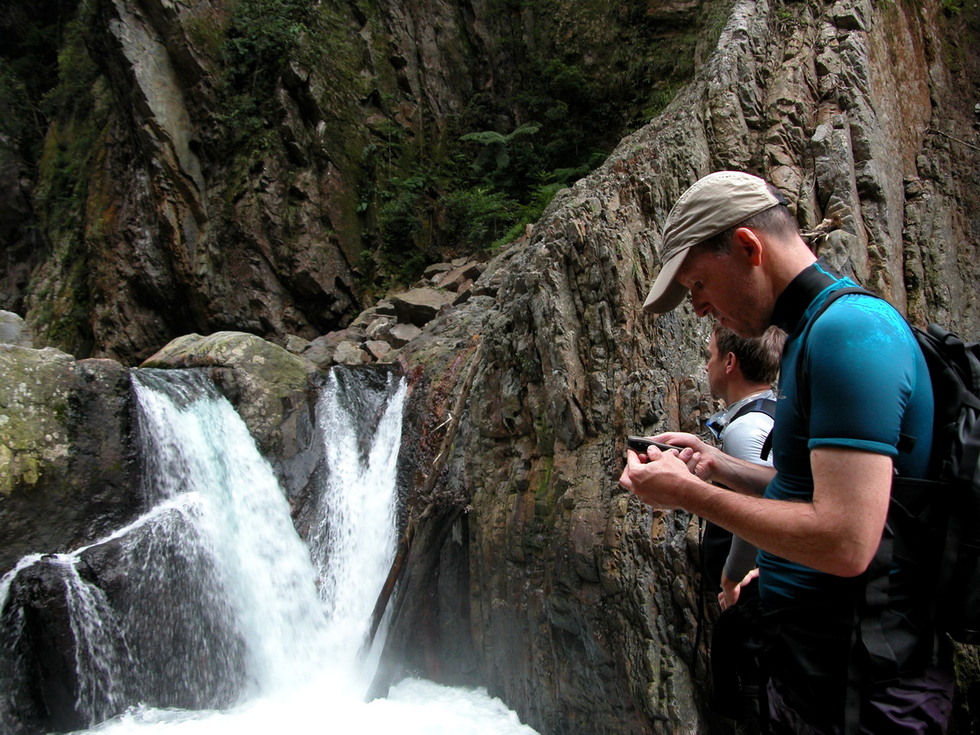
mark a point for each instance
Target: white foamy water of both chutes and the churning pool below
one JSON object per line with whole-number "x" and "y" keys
{"x": 300, "y": 614}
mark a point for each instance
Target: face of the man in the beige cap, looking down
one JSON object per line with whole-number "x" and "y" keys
{"x": 726, "y": 287}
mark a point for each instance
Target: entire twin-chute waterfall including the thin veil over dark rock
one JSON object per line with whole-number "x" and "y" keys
{"x": 209, "y": 613}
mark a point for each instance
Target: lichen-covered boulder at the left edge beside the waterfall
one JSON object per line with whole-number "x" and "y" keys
{"x": 65, "y": 452}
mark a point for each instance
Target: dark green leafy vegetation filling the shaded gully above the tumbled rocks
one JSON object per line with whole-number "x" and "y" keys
{"x": 506, "y": 156}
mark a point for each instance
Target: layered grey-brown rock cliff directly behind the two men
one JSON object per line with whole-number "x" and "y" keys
{"x": 529, "y": 571}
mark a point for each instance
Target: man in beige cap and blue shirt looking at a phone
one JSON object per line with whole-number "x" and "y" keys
{"x": 854, "y": 388}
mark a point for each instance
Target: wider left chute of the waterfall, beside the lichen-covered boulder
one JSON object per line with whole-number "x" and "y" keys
{"x": 195, "y": 442}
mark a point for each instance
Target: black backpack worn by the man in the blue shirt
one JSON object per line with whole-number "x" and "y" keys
{"x": 950, "y": 498}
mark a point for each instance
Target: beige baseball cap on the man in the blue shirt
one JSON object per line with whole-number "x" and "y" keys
{"x": 710, "y": 206}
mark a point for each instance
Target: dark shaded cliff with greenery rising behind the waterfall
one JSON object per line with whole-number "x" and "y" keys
{"x": 261, "y": 165}
